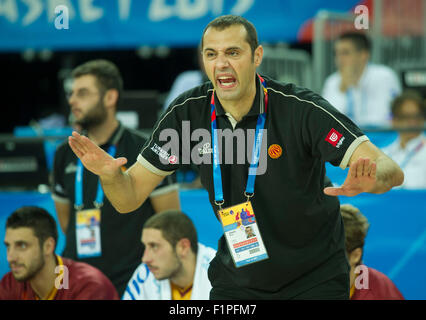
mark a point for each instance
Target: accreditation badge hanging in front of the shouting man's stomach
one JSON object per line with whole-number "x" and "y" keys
{"x": 242, "y": 234}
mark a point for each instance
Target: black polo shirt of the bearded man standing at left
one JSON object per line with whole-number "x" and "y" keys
{"x": 120, "y": 233}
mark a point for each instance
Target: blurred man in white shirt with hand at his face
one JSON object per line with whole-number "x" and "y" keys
{"x": 361, "y": 90}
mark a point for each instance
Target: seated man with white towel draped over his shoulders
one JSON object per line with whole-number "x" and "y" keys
{"x": 174, "y": 265}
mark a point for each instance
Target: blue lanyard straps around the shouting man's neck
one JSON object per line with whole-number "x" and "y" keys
{"x": 217, "y": 175}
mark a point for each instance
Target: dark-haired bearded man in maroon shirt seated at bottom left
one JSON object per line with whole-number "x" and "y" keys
{"x": 37, "y": 273}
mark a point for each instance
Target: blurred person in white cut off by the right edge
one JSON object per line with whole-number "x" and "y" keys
{"x": 409, "y": 150}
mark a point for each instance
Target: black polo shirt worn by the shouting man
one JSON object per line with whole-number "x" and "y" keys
{"x": 300, "y": 225}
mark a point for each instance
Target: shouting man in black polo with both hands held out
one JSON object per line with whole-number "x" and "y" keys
{"x": 280, "y": 190}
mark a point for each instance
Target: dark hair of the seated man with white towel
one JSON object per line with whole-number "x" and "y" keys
{"x": 174, "y": 225}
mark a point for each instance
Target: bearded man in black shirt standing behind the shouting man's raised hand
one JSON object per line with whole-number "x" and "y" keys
{"x": 95, "y": 232}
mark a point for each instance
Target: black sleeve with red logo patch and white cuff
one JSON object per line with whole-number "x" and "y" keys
{"x": 329, "y": 134}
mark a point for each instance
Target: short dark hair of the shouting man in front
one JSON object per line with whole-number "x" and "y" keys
{"x": 223, "y": 22}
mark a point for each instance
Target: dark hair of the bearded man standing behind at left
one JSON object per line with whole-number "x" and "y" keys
{"x": 106, "y": 73}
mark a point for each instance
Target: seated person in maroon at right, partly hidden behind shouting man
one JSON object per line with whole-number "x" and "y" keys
{"x": 369, "y": 284}
